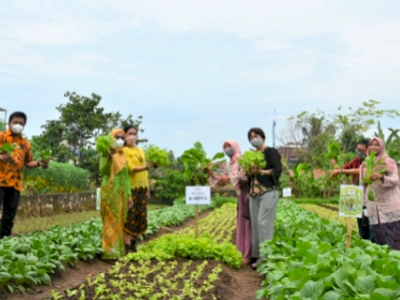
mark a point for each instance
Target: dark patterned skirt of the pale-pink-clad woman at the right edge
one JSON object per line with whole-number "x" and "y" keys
{"x": 388, "y": 234}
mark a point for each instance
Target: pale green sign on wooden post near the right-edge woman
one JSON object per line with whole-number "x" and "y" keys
{"x": 350, "y": 206}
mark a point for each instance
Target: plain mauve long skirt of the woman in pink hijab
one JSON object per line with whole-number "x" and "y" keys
{"x": 243, "y": 230}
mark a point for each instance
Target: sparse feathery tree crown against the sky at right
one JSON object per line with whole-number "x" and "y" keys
{"x": 315, "y": 130}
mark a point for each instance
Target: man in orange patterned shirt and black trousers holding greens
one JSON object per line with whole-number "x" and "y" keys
{"x": 11, "y": 168}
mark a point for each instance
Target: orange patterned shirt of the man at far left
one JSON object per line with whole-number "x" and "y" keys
{"x": 11, "y": 172}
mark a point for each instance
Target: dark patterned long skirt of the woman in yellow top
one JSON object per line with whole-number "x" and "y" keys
{"x": 136, "y": 221}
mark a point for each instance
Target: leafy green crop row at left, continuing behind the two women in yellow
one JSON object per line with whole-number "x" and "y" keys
{"x": 30, "y": 259}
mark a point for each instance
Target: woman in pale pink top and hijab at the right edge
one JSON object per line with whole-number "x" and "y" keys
{"x": 384, "y": 211}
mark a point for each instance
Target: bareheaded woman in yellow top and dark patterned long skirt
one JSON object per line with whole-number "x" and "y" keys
{"x": 136, "y": 222}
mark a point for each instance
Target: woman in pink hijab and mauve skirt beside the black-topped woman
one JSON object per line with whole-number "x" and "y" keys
{"x": 234, "y": 174}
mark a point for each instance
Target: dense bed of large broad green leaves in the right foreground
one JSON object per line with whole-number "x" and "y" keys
{"x": 307, "y": 259}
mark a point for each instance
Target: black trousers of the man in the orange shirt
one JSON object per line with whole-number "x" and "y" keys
{"x": 9, "y": 199}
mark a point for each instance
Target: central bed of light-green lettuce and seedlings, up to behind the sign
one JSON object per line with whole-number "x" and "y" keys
{"x": 157, "y": 270}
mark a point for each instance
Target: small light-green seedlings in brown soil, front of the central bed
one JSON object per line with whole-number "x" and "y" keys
{"x": 176, "y": 279}
